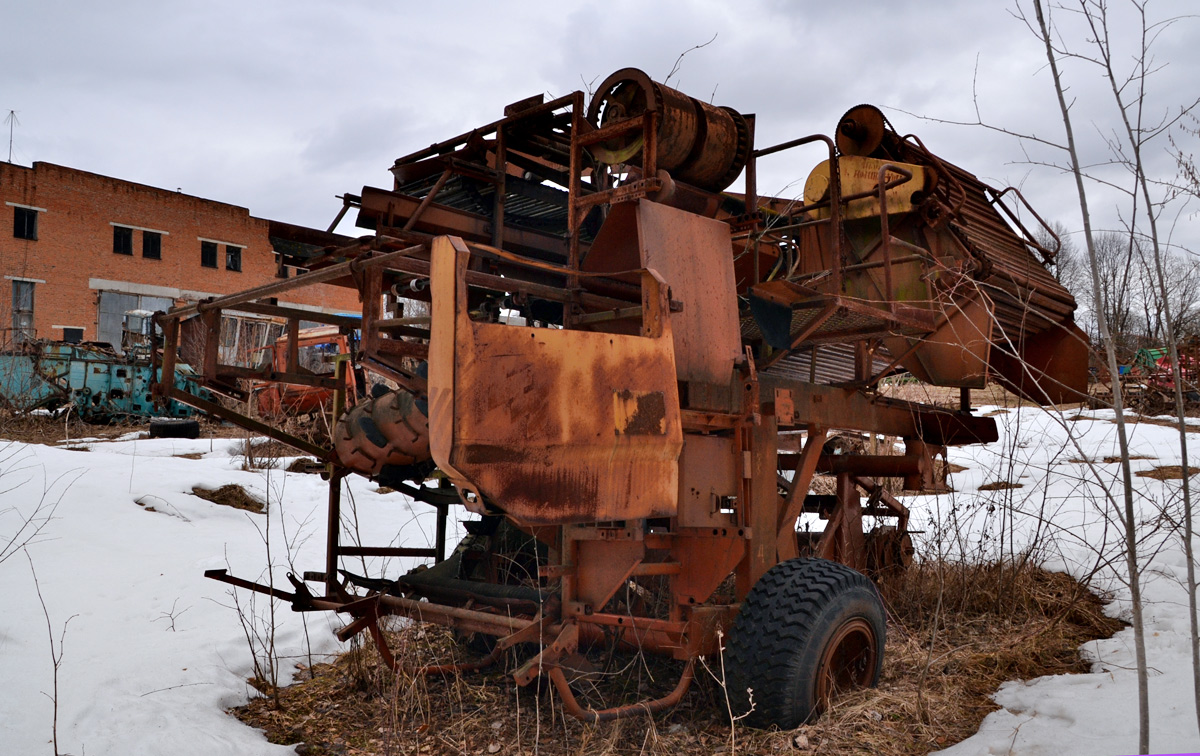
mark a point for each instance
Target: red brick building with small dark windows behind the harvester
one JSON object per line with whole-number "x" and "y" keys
{"x": 86, "y": 249}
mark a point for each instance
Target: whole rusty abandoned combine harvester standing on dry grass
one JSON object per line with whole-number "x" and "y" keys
{"x": 683, "y": 357}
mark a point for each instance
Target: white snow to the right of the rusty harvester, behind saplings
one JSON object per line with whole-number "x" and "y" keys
{"x": 1064, "y": 514}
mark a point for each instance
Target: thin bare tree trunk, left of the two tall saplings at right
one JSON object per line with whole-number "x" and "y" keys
{"x": 1118, "y": 405}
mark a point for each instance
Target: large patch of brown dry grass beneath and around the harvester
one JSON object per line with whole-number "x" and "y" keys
{"x": 956, "y": 633}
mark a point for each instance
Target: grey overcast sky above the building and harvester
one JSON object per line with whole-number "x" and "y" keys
{"x": 281, "y": 106}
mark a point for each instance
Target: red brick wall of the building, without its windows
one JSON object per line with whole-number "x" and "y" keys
{"x": 75, "y": 247}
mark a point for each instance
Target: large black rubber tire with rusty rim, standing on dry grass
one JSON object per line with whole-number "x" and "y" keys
{"x": 808, "y": 629}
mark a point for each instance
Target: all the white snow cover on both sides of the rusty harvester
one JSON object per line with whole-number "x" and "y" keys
{"x": 154, "y": 653}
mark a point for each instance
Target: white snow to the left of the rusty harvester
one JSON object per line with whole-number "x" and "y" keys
{"x": 153, "y": 653}
